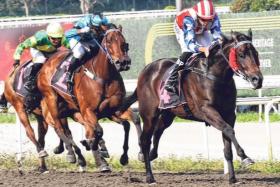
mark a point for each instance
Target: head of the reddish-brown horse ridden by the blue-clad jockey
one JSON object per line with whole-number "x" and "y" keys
{"x": 117, "y": 49}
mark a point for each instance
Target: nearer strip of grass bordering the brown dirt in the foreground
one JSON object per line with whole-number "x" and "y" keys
{"x": 171, "y": 164}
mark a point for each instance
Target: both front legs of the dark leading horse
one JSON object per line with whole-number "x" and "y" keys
{"x": 213, "y": 118}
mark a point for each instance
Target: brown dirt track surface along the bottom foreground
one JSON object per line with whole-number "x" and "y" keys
{"x": 61, "y": 179}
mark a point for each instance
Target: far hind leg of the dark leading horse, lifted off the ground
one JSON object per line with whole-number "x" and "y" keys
{"x": 165, "y": 120}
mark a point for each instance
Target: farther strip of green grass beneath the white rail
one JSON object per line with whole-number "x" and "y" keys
{"x": 241, "y": 118}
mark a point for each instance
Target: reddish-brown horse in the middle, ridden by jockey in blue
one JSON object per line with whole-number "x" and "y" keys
{"x": 96, "y": 96}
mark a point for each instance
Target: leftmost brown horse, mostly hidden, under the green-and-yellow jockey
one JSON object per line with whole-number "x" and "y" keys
{"x": 17, "y": 102}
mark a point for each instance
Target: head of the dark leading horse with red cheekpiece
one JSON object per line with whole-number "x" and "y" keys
{"x": 243, "y": 57}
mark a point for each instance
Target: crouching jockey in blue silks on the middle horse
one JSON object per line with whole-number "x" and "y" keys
{"x": 87, "y": 29}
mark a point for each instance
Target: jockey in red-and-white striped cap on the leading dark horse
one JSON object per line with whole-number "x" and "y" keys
{"x": 192, "y": 28}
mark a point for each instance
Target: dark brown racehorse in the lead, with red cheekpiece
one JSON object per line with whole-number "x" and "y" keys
{"x": 209, "y": 91}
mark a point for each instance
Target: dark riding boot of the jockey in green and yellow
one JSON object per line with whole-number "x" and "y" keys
{"x": 30, "y": 84}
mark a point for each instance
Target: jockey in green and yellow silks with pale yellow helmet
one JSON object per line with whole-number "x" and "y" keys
{"x": 42, "y": 45}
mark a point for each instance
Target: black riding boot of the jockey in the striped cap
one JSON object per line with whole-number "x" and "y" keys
{"x": 170, "y": 85}
